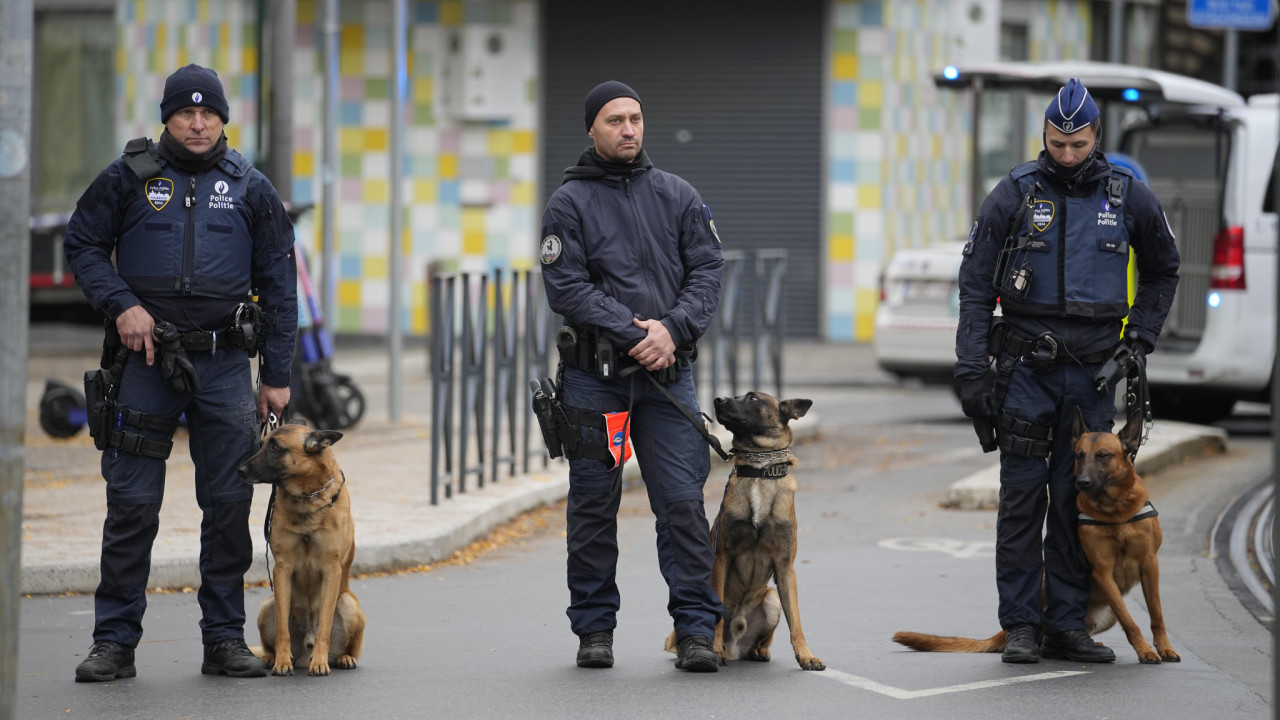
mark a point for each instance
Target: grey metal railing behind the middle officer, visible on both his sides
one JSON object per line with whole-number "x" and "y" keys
{"x": 493, "y": 332}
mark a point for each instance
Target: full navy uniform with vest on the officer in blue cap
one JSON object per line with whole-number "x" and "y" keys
{"x": 1063, "y": 291}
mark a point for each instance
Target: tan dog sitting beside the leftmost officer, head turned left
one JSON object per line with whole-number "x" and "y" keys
{"x": 313, "y": 619}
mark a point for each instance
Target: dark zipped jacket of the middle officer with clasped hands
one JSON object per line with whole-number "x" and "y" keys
{"x": 630, "y": 245}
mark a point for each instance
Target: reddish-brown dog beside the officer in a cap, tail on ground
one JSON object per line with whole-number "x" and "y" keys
{"x": 1119, "y": 539}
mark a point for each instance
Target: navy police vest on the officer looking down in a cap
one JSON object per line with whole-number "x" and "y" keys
{"x": 1077, "y": 250}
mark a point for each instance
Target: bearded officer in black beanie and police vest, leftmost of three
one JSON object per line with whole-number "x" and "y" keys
{"x": 194, "y": 231}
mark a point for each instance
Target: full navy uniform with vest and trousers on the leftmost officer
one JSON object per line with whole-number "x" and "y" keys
{"x": 189, "y": 248}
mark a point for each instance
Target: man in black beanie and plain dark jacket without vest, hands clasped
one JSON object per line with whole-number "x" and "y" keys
{"x": 632, "y": 261}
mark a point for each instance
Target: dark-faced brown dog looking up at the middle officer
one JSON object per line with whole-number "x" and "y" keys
{"x": 755, "y": 536}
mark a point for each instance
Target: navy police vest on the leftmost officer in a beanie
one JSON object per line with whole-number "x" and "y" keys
{"x": 185, "y": 236}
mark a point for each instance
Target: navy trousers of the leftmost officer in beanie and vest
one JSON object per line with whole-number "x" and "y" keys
{"x": 222, "y": 421}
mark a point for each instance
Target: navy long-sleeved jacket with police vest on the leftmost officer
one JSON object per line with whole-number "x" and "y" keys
{"x": 189, "y": 249}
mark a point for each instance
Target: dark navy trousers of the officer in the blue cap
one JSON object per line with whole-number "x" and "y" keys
{"x": 1037, "y": 490}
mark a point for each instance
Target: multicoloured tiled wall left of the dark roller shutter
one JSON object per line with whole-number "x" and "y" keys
{"x": 469, "y": 184}
